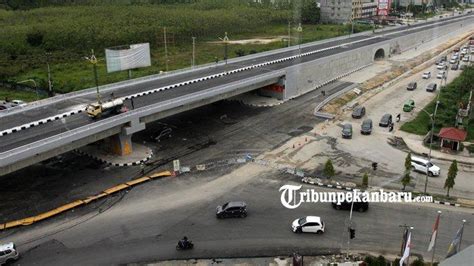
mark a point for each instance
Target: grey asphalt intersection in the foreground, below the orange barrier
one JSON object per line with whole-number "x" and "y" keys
{"x": 146, "y": 224}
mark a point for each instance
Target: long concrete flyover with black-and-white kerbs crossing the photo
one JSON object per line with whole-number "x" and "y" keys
{"x": 57, "y": 125}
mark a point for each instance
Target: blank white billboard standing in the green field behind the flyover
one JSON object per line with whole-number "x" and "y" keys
{"x": 128, "y": 57}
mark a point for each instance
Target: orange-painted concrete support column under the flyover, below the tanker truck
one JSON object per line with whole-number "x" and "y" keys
{"x": 121, "y": 144}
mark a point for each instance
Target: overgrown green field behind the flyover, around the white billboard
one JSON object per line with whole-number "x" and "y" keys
{"x": 69, "y": 33}
